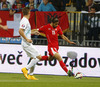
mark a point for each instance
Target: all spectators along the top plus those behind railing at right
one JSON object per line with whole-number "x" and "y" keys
{"x": 90, "y": 6}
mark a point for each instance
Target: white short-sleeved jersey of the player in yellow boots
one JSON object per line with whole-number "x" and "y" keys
{"x": 24, "y": 24}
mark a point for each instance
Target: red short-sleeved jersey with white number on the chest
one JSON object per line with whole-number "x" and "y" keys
{"x": 51, "y": 34}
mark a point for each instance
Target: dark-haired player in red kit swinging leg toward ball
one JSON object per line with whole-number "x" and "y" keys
{"x": 51, "y": 31}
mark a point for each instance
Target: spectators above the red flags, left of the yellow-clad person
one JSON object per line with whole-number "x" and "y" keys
{"x": 35, "y": 5}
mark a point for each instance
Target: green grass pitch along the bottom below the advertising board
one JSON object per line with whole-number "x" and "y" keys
{"x": 18, "y": 80}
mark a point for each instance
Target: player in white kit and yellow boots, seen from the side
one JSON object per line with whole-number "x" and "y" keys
{"x": 25, "y": 32}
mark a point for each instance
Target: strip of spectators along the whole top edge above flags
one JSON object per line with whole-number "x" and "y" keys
{"x": 47, "y": 5}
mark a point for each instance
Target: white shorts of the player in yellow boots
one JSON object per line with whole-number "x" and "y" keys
{"x": 31, "y": 51}
